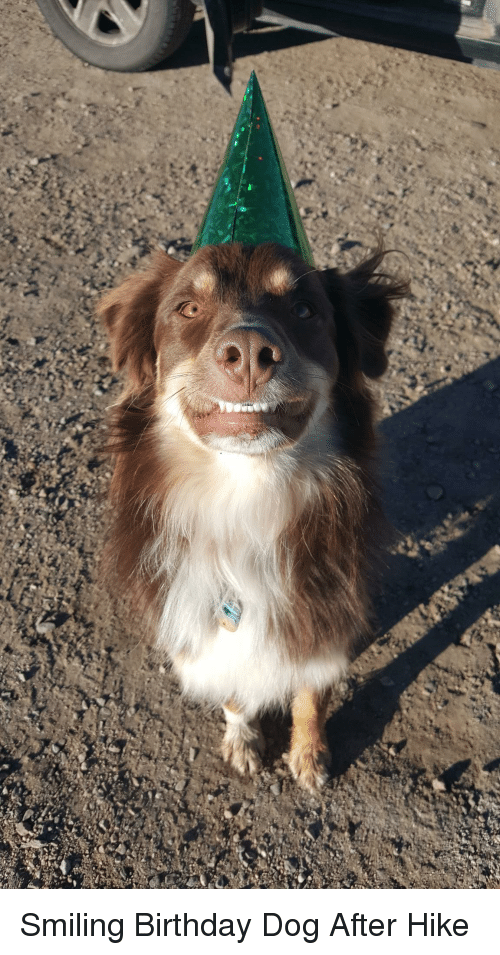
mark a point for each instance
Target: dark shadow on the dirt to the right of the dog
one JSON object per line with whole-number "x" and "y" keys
{"x": 461, "y": 424}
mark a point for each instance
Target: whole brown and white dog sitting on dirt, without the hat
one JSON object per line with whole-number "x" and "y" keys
{"x": 244, "y": 479}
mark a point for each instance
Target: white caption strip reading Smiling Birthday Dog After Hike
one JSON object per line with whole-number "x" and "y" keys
{"x": 272, "y": 921}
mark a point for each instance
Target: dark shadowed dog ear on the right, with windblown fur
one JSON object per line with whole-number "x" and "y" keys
{"x": 365, "y": 296}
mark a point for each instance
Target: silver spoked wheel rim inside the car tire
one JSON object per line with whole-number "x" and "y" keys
{"x": 108, "y": 22}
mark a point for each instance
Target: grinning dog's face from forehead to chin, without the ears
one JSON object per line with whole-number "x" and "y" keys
{"x": 245, "y": 345}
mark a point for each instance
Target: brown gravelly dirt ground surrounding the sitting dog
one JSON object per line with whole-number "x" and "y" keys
{"x": 108, "y": 778}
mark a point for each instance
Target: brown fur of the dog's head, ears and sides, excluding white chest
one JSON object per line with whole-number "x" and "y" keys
{"x": 330, "y": 547}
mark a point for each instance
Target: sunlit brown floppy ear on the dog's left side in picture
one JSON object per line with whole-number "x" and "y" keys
{"x": 129, "y": 315}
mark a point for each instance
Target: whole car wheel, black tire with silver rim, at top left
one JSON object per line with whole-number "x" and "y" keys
{"x": 124, "y": 35}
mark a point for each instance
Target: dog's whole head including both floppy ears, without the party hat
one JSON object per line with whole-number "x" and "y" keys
{"x": 240, "y": 344}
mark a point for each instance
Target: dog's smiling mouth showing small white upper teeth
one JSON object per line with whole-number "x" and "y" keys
{"x": 250, "y": 419}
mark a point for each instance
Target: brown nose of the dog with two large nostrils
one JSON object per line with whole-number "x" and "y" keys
{"x": 248, "y": 357}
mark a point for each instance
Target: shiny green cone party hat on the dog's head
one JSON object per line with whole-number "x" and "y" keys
{"x": 253, "y": 201}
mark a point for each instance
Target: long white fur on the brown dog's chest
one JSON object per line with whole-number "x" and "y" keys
{"x": 230, "y": 517}
